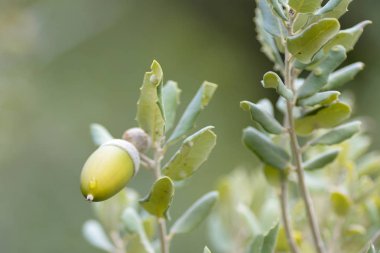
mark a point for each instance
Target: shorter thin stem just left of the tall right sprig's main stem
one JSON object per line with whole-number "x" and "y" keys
{"x": 285, "y": 216}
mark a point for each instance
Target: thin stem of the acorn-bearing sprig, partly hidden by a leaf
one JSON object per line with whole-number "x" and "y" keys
{"x": 160, "y": 221}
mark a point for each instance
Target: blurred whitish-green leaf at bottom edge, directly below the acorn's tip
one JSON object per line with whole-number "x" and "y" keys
{"x": 95, "y": 235}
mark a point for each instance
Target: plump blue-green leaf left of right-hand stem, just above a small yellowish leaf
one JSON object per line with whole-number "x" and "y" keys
{"x": 265, "y": 149}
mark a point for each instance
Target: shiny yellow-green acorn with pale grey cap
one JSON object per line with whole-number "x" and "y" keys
{"x": 109, "y": 169}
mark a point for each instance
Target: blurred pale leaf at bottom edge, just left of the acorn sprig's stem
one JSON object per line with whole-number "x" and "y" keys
{"x": 133, "y": 225}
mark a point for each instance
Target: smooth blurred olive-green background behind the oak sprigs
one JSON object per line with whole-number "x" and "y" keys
{"x": 66, "y": 64}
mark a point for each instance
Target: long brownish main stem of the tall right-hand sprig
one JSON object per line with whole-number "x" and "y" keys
{"x": 297, "y": 156}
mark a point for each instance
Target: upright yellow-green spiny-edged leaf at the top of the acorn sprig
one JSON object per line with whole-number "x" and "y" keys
{"x": 149, "y": 111}
